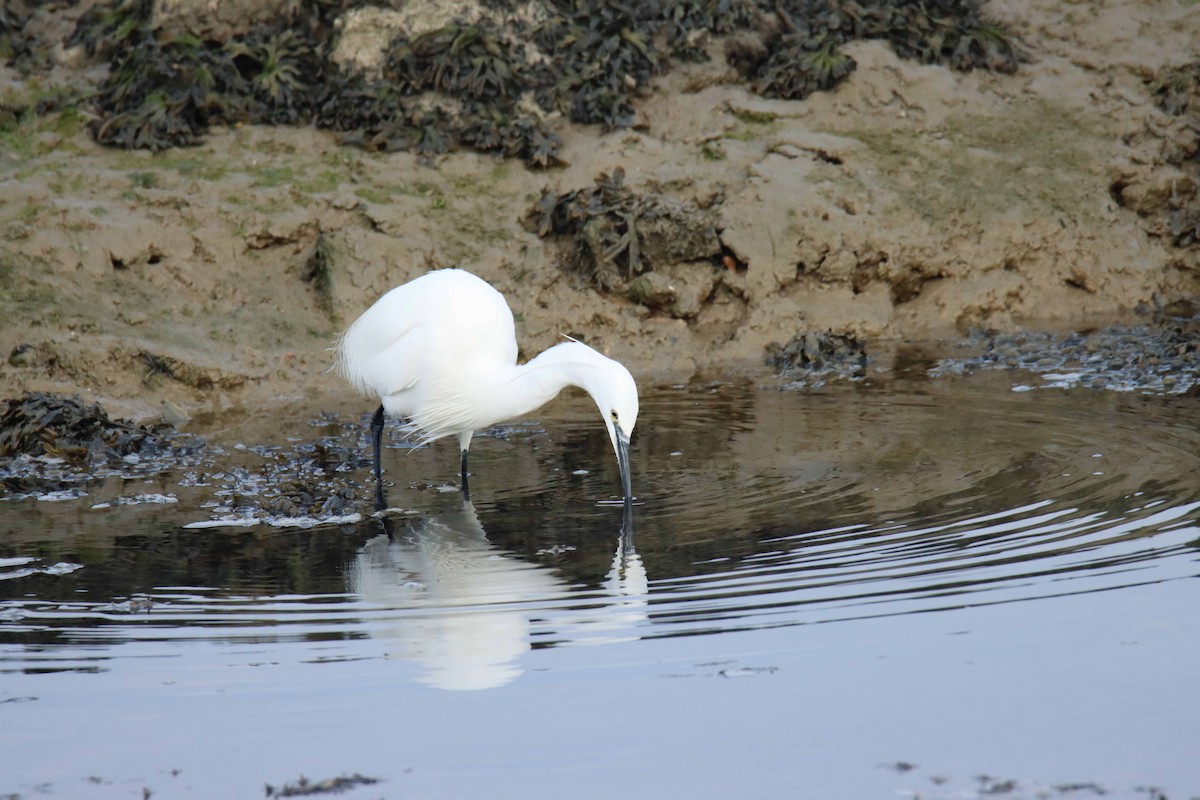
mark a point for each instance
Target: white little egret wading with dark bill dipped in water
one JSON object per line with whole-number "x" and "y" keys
{"x": 441, "y": 353}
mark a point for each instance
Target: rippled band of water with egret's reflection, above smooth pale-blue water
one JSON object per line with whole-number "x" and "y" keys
{"x": 757, "y": 510}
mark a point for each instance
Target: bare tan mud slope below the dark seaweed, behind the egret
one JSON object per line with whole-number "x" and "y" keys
{"x": 913, "y": 202}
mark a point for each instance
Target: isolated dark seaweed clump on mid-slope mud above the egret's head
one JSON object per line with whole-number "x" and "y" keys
{"x": 619, "y": 234}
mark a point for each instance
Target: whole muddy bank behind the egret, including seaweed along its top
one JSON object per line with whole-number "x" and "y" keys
{"x": 904, "y": 200}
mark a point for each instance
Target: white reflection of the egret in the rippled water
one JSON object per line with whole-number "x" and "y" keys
{"x": 467, "y": 611}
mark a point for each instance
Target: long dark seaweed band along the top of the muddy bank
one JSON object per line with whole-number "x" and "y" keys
{"x": 489, "y": 85}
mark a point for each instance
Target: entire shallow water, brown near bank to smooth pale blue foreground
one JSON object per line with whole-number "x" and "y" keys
{"x": 867, "y": 591}
